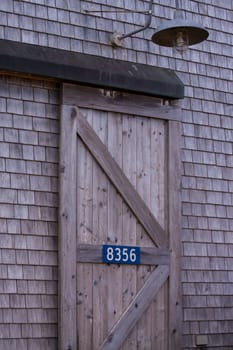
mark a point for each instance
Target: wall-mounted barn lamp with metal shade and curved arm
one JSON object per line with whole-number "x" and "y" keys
{"x": 178, "y": 32}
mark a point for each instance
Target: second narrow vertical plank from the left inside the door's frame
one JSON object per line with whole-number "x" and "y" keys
{"x": 100, "y": 234}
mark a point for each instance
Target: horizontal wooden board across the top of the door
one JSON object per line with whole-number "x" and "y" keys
{"x": 107, "y": 100}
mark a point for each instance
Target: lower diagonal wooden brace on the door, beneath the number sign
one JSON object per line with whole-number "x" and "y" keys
{"x": 136, "y": 309}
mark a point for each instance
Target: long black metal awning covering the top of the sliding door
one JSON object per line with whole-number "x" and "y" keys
{"x": 89, "y": 70}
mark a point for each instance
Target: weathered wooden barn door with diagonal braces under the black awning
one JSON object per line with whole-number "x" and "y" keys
{"x": 119, "y": 176}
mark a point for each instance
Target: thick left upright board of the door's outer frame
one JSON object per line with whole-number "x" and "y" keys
{"x": 67, "y": 226}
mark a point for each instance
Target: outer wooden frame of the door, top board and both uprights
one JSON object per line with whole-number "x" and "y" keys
{"x": 139, "y": 105}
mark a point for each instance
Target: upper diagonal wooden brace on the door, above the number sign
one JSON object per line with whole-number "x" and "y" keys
{"x": 120, "y": 181}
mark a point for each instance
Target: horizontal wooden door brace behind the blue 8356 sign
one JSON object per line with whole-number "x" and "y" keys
{"x": 88, "y": 253}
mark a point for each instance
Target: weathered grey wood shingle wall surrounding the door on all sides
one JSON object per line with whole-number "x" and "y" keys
{"x": 29, "y": 156}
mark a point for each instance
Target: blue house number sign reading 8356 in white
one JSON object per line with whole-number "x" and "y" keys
{"x": 116, "y": 254}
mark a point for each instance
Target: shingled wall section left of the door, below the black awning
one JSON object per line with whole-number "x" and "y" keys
{"x": 28, "y": 210}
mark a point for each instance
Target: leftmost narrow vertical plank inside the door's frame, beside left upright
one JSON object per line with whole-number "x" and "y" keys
{"x": 84, "y": 235}
